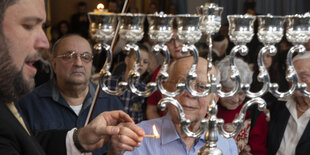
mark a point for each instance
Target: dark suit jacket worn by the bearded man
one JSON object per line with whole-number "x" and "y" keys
{"x": 15, "y": 140}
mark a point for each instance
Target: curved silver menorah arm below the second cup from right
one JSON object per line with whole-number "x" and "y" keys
{"x": 263, "y": 75}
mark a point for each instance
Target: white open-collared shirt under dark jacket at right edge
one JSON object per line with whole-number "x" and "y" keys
{"x": 294, "y": 129}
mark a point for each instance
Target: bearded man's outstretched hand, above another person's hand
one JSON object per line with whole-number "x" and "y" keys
{"x": 99, "y": 131}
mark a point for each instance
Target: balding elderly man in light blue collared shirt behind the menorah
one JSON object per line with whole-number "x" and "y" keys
{"x": 172, "y": 139}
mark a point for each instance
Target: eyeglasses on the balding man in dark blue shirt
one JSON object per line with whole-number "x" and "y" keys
{"x": 70, "y": 56}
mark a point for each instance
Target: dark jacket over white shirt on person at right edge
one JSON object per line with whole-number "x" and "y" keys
{"x": 278, "y": 122}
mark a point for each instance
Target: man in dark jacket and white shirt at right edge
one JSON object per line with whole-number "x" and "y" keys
{"x": 289, "y": 127}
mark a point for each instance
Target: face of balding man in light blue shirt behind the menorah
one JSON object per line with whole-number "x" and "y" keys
{"x": 194, "y": 108}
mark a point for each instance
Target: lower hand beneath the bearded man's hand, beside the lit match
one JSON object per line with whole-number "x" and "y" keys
{"x": 129, "y": 137}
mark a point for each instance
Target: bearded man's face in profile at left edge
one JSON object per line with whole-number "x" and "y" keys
{"x": 24, "y": 37}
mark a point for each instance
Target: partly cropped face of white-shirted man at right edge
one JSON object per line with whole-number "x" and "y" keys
{"x": 302, "y": 67}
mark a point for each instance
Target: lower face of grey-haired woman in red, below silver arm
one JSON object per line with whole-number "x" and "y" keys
{"x": 231, "y": 103}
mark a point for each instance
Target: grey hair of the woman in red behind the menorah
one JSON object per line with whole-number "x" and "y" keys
{"x": 224, "y": 70}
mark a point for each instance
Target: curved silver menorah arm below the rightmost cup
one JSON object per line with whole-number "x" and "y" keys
{"x": 291, "y": 75}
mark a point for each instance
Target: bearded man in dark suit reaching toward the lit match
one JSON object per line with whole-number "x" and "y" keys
{"x": 21, "y": 37}
